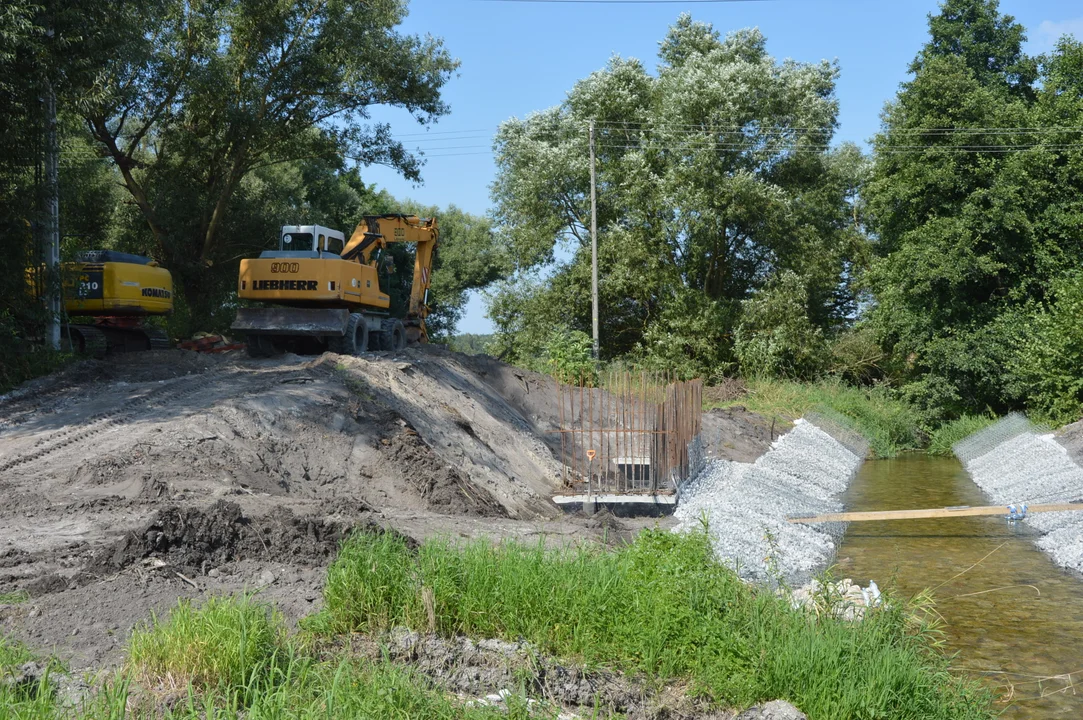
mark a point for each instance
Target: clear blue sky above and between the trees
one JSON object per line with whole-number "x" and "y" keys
{"x": 523, "y": 57}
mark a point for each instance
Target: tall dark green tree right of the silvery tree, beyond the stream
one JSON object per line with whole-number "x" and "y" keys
{"x": 954, "y": 207}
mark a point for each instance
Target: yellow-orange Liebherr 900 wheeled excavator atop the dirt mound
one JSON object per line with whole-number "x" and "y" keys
{"x": 327, "y": 290}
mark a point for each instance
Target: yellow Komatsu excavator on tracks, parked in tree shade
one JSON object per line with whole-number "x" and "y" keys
{"x": 119, "y": 291}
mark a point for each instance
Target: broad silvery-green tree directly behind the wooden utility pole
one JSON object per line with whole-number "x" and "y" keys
{"x": 712, "y": 177}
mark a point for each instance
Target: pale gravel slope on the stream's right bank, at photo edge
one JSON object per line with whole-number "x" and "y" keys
{"x": 1035, "y": 469}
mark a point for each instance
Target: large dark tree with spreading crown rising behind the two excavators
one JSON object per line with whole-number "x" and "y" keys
{"x": 194, "y": 98}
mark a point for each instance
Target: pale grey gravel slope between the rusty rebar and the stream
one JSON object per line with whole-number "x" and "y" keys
{"x": 746, "y": 506}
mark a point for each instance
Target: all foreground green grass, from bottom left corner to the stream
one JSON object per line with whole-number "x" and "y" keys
{"x": 660, "y": 609}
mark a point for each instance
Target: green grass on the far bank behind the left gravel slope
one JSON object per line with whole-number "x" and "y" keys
{"x": 890, "y": 425}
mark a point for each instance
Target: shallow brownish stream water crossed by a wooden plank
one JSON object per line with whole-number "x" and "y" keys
{"x": 1015, "y": 620}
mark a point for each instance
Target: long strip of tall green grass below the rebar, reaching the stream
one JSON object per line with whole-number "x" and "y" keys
{"x": 661, "y": 607}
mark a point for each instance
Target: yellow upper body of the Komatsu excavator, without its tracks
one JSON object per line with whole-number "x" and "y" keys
{"x": 118, "y": 290}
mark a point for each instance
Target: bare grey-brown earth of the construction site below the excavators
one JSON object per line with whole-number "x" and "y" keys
{"x": 132, "y": 482}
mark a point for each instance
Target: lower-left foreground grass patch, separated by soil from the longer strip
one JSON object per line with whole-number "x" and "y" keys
{"x": 232, "y": 658}
